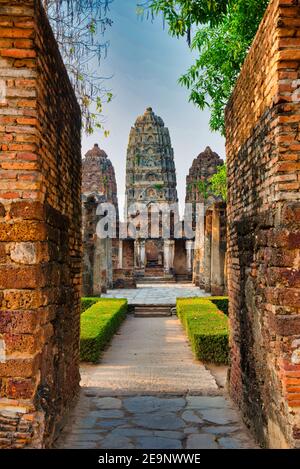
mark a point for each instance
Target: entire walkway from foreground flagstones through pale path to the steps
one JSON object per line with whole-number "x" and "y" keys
{"x": 148, "y": 392}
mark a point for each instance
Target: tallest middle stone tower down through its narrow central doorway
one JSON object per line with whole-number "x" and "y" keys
{"x": 151, "y": 180}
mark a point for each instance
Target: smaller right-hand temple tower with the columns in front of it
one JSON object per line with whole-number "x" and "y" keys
{"x": 209, "y": 223}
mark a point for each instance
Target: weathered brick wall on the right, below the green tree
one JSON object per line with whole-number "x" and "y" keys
{"x": 263, "y": 157}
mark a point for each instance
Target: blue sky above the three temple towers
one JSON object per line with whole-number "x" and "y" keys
{"x": 144, "y": 64}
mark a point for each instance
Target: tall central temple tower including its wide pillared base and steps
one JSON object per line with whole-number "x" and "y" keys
{"x": 151, "y": 183}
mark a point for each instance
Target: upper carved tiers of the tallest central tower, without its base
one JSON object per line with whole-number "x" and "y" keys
{"x": 150, "y": 172}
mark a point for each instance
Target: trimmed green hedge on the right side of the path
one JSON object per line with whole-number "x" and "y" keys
{"x": 207, "y": 328}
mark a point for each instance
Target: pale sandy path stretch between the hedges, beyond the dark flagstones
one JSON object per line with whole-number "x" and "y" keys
{"x": 149, "y": 355}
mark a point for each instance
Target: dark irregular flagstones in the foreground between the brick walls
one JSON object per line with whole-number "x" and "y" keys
{"x": 149, "y": 422}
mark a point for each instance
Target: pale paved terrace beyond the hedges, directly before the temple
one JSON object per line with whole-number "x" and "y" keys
{"x": 153, "y": 294}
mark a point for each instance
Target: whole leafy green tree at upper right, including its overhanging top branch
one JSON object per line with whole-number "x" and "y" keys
{"x": 222, "y": 42}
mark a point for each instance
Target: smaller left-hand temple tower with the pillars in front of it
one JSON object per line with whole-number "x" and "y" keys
{"x": 98, "y": 187}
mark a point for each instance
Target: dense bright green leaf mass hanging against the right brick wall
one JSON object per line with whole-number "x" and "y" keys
{"x": 222, "y": 50}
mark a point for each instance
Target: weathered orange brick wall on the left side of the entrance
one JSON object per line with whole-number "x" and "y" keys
{"x": 40, "y": 230}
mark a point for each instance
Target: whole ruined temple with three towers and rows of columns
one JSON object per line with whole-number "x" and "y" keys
{"x": 163, "y": 248}
